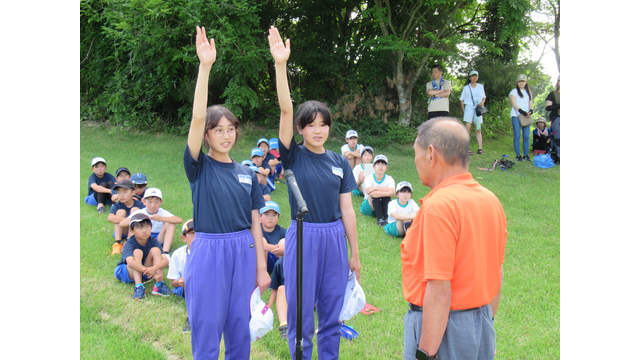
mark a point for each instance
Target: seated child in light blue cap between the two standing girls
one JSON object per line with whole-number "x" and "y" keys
{"x": 273, "y": 235}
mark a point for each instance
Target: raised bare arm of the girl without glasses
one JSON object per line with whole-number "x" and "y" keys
{"x": 280, "y": 53}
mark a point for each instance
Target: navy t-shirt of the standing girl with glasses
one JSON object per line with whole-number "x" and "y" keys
{"x": 223, "y": 194}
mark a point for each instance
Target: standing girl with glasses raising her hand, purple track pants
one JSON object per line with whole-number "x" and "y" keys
{"x": 222, "y": 268}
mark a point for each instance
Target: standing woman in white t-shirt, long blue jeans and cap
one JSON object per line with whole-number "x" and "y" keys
{"x": 521, "y": 104}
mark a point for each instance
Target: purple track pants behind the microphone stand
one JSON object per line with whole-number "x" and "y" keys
{"x": 325, "y": 273}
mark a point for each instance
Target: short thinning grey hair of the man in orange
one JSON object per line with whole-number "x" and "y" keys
{"x": 453, "y": 145}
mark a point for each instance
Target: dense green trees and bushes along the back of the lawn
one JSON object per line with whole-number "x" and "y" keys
{"x": 368, "y": 60}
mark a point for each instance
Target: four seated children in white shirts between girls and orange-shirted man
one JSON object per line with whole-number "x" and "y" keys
{"x": 377, "y": 188}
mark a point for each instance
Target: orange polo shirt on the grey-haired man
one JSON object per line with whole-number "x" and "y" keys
{"x": 459, "y": 234}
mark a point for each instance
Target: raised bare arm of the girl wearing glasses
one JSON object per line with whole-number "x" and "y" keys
{"x": 207, "y": 54}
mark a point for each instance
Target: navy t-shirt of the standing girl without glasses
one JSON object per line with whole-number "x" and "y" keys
{"x": 321, "y": 179}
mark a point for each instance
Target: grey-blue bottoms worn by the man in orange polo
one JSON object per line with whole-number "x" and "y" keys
{"x": 469, "y": 335}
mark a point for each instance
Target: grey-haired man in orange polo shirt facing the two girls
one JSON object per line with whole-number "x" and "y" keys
{"x": 453, "y": 252}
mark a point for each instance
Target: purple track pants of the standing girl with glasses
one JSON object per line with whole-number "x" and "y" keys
{"x": 220, "y": 277}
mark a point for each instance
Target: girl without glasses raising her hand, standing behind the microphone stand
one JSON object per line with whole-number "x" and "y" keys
{"x": 325, "y": 182}
